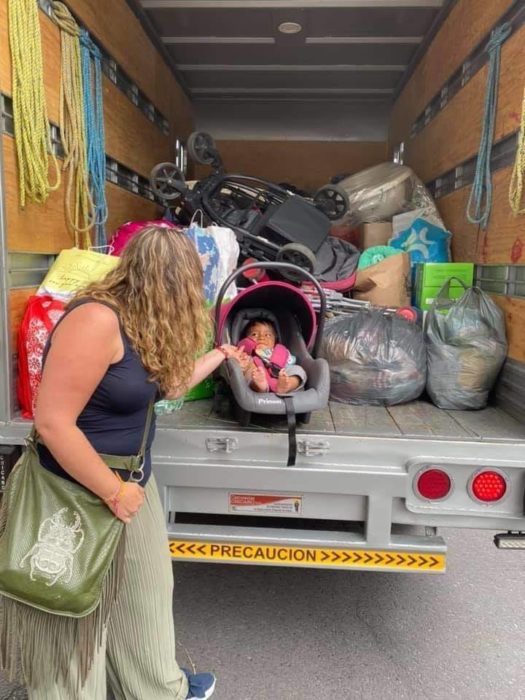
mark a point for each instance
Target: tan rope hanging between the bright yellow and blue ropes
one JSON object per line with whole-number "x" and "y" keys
{"x": 79, "y": 204}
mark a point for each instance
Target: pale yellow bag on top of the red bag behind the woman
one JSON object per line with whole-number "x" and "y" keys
{"x": 74, "y": 269}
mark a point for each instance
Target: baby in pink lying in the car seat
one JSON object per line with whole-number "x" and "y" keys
{"x": 268, "y": 365}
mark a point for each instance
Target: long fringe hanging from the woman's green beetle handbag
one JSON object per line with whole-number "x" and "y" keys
{"x": 40, "y": 649}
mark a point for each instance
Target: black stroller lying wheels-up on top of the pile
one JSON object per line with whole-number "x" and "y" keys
{"x": 270, "y": 222}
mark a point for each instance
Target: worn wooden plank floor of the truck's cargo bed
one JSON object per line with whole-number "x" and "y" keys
{"x": 417, "y": 419}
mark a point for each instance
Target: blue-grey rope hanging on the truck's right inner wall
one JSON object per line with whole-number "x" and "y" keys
{"x": 480, "y": 201}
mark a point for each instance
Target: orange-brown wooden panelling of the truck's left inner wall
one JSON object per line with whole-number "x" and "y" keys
{"x": 131, "y": 138}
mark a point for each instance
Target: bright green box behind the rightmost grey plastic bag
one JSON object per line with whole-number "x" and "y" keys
{"x": 430, "y": 277}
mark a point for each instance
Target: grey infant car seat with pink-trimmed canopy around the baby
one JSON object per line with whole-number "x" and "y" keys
{"x": 293, "y": 316}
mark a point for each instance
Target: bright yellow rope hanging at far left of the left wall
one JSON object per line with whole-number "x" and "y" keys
{"x": 32, "y": 132}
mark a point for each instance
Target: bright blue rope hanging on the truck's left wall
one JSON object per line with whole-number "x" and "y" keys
{"x": 95, "y": 138}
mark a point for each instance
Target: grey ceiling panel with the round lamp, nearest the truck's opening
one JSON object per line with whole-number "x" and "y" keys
{"x": 315, "y": 22}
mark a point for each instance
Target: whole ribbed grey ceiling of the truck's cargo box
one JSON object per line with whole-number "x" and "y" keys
{"x": 251, "y": 58}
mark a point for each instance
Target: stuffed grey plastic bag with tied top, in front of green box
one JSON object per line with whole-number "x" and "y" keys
{"x": 466, "y": 348}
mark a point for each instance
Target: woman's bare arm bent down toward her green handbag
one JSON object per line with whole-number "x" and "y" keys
{"x": 84, "y": 345}
